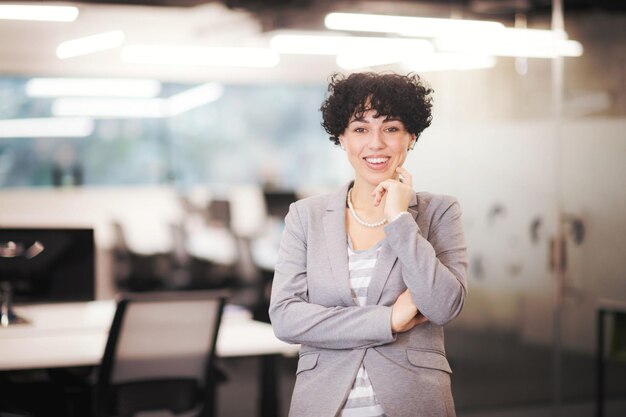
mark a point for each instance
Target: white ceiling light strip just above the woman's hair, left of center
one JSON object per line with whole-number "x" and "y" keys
{"x": 335, "y": 45}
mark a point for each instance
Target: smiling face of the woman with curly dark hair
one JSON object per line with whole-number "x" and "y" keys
{"x": 376, "y": 146}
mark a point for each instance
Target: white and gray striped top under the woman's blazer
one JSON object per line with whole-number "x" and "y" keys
{"x": 361, "y": 401}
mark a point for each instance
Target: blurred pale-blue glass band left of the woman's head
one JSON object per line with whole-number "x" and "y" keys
{"x": 241, "y": 136}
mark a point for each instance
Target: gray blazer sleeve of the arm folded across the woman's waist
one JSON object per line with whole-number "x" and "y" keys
{"x": 297, "y": 320}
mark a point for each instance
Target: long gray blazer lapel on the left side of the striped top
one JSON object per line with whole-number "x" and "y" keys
{"x": 337, "y": 244}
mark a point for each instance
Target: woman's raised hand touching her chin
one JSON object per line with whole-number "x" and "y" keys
{"x": 395, "y": 194}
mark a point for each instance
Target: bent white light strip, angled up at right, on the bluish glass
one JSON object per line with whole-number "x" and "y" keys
{"x": 138, "y": 107}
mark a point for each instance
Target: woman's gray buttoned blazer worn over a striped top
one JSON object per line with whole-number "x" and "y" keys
{"x": 311, "y": 304}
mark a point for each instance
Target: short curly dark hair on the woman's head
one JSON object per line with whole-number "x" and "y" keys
{"x": 391, "y": 95}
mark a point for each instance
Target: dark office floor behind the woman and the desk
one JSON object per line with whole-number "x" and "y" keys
{"x": 494, "y": 376}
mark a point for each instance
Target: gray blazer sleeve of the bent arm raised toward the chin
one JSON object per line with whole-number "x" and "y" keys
{"x": 433, "y": 270}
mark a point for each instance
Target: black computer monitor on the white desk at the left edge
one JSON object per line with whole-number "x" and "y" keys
{"x": 40, "y": 265}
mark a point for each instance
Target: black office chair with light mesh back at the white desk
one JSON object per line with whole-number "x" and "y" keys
{"x": 160, "y": 355}
